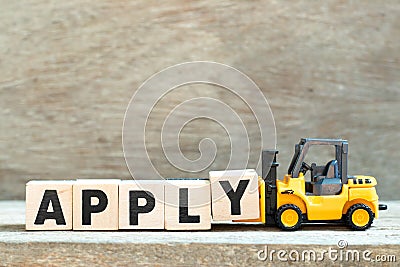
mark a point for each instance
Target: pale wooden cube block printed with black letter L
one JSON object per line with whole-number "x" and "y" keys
{"x": 187, "y": 204}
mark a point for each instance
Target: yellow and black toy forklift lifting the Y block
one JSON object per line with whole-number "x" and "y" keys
{"x": 331, "y": 195}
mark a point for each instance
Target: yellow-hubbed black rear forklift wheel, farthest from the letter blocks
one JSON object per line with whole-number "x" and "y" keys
{"x": 359, "y": 217}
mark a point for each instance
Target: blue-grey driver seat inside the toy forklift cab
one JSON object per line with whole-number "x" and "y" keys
{"x": 329, "y": 182}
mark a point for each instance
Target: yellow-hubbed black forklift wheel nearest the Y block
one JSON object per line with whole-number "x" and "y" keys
{"x": 289, "y": 217}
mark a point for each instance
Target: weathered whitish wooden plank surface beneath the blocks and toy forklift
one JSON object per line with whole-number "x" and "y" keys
{"x": 223, "y": 245}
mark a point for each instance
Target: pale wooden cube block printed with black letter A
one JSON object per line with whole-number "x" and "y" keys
{"x": 49, "y": 205}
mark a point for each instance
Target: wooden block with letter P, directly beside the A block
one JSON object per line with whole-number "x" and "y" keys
{"x": 95, "y": 205}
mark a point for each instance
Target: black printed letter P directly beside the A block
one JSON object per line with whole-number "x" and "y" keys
{"x": 88, "y": 209}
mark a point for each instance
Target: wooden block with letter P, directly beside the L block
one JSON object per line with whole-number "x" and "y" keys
{"x": 141, "y": 204}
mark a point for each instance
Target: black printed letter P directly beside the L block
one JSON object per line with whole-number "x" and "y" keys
{"x": 135, "y": 209}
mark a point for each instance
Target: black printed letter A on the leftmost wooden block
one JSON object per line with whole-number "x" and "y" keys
{"x": 56, "y": 214}
